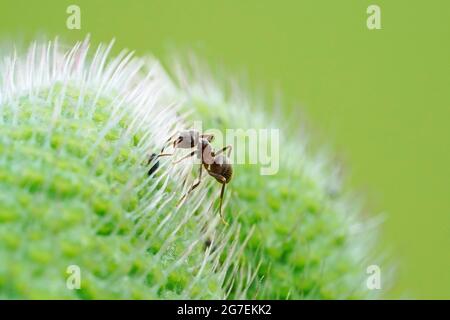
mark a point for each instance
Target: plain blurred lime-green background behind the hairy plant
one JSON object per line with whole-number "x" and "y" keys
{"x": 380, "y": 98}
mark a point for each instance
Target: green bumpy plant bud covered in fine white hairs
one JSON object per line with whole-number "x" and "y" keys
{"x": 76, "y": 131}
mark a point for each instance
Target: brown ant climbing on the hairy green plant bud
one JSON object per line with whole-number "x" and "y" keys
{"x": 214, "y": 162}
